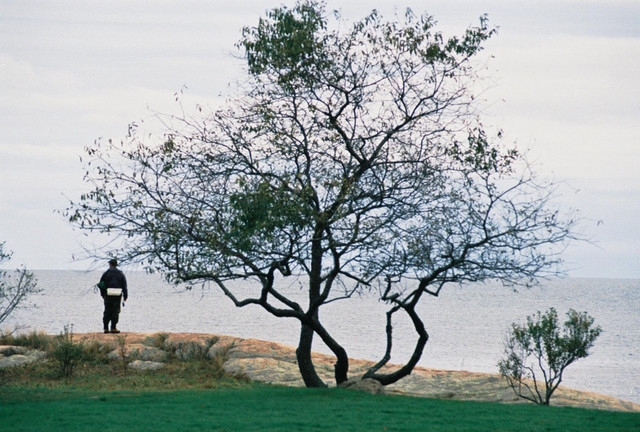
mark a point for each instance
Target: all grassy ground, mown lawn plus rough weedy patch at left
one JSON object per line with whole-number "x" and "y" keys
{"x": 198, "y": 395}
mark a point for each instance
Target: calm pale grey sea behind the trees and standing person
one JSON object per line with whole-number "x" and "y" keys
{"x": 467, "y": 325}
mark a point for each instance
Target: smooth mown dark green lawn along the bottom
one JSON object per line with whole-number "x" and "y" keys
{"x": 260, "y": 407}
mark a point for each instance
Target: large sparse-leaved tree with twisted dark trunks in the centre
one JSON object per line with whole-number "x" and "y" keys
{"x": 352, "y": 159}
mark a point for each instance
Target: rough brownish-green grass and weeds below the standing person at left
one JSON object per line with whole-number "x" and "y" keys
{"x": 98, "y": 365}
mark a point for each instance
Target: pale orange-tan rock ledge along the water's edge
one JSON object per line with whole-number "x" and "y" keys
{"x": 275, "y": 363}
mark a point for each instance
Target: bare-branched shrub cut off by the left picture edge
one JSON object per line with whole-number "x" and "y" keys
{"x": 15, "y": 286}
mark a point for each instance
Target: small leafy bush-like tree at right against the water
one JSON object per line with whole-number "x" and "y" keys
{"x": 537, "y": 351}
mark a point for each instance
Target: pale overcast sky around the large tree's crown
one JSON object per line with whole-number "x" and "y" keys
{"x": 564, "y": 84}
